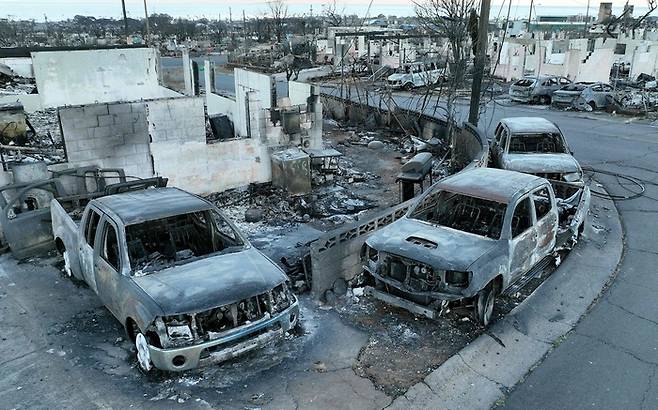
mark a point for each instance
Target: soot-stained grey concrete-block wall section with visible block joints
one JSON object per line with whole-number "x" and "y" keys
{"x": 109, "y": 135}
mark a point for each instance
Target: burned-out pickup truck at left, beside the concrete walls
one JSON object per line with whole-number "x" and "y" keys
{"x": 186, "y": 285}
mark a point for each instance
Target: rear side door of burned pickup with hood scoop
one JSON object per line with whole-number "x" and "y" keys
{"x": 546, "y": 217}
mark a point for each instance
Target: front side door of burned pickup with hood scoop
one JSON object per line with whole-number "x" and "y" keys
{"x": 523, "y": 242}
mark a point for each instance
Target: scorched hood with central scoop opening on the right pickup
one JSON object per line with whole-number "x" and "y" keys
{"x": 455, "y": 250}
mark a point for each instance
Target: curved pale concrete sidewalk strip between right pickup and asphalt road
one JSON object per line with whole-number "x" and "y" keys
{"x": 480, "y": 375}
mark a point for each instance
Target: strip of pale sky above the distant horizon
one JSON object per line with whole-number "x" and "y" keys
{"x": 62, "y": 9}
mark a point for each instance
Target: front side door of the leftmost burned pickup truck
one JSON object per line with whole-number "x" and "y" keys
{"x": 108, "y": 264}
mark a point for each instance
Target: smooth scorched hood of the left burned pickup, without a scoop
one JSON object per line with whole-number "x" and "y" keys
{"x": 211, "y": 282}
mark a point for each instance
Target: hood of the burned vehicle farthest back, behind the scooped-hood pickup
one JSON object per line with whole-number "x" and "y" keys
{"x": 541, "y": 163}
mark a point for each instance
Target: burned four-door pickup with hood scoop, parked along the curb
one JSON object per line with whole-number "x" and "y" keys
{"x": 470, "y": 237}
